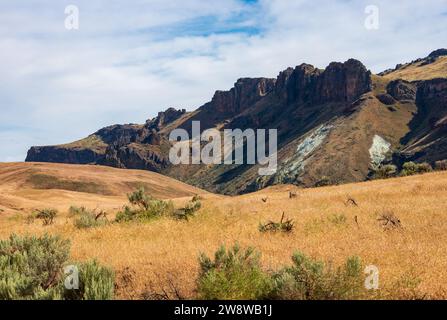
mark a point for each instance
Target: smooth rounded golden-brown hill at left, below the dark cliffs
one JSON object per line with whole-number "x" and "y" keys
{"x": 27, "y": 186}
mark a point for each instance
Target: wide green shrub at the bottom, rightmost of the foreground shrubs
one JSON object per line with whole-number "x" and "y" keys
{"x": 309, "y": 279}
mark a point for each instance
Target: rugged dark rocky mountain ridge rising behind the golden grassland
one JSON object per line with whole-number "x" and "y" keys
{"x": 327, "y": 120}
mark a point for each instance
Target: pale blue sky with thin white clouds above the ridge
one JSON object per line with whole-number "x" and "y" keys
{"x": 130, "y": 59}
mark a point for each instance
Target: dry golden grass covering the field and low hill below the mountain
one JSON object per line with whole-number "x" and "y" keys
{"x": 147, "y": 257}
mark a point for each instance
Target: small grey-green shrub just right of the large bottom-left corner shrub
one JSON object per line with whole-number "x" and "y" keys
{"x": 96, "y": 282}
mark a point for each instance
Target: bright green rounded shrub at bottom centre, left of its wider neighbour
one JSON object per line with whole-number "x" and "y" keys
{"x": 233, "y": 275}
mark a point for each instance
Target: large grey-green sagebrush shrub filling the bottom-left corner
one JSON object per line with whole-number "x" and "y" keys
{"x": 31, "y": 268}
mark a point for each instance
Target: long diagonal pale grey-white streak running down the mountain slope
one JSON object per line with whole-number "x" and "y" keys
{"x": 295, "y": 165}
